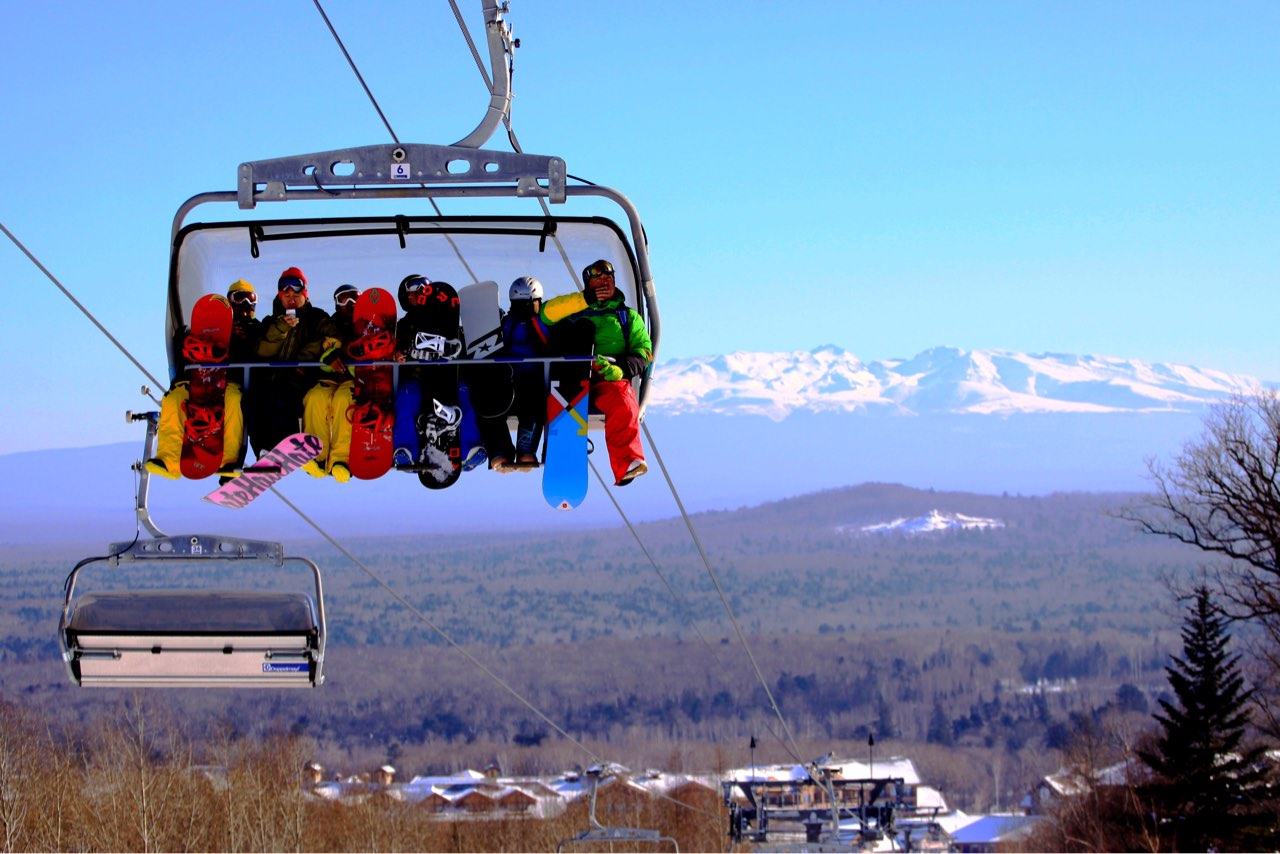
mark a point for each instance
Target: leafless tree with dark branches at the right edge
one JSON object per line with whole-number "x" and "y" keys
{"x": 1222, "y": 495}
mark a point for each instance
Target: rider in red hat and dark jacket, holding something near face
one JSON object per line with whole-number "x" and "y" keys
{"x": 298, "y": 331}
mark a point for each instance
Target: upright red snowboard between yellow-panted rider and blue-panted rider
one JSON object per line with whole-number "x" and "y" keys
{"x": 374, "y": 412}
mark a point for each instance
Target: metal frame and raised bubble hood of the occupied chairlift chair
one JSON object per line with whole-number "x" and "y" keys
{"x": 381, "y": 250}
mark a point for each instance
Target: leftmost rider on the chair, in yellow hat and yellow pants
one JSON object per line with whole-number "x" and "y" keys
{"x": 175, "y": 408}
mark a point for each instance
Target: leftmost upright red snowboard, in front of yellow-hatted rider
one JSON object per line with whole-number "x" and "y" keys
{"x": 207, "y": 344}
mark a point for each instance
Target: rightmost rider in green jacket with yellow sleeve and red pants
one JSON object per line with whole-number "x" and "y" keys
{"x": 623, "y": 351}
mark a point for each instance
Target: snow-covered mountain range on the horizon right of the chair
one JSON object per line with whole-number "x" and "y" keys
{"x": 944, "y": 380}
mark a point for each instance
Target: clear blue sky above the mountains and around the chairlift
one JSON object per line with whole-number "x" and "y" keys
{"x": 1085, "y": 179}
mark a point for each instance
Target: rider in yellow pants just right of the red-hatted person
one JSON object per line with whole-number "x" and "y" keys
{"x": 324, "y": 407}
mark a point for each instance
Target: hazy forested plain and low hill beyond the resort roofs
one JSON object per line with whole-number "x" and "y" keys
{"x": 922, "y": 641}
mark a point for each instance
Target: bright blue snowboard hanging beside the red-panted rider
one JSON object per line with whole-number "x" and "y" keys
{"x": 565, "y": 463}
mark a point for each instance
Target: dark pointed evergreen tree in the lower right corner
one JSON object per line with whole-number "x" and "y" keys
{"x": 1206, "y": 786}
